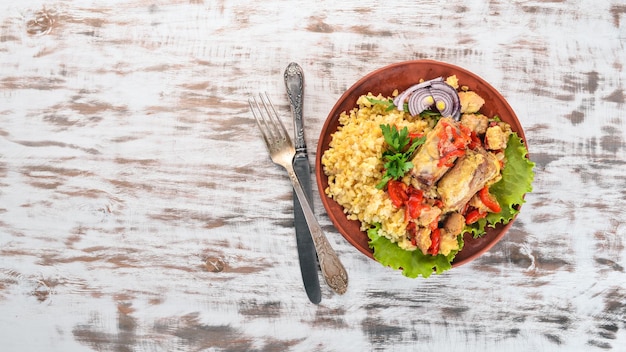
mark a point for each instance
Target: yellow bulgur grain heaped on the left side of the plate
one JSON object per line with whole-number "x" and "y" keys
{"x": 353, "y": 164}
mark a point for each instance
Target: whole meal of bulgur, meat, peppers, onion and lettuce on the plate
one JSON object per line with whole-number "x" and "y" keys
{"x": 418, "y": 171}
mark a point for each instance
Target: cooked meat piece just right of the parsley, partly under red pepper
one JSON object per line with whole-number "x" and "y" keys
{"x": 426, "y": 171}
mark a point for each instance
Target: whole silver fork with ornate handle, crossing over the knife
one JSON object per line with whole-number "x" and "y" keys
{"x": 282, "y": 152}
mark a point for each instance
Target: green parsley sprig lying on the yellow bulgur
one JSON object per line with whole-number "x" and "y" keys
{"x": 397, "y": 155}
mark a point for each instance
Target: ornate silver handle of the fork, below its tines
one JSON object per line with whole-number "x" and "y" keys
{"x": 332, "y": 270}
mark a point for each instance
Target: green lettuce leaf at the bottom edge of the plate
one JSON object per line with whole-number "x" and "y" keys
{"x": 412, "y": 263}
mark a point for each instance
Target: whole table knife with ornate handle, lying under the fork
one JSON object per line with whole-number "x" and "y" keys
{"x": 294, "y": 84}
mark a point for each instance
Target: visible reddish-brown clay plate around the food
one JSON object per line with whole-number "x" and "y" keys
{"x": 384, "y": 81}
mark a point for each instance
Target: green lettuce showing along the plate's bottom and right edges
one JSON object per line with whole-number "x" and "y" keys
{"x": 517, "y": 178}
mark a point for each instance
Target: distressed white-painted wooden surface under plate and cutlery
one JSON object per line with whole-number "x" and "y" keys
{"x": 139, "y": 210}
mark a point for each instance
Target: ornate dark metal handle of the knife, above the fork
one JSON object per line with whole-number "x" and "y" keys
{"x": 294, "y": 83}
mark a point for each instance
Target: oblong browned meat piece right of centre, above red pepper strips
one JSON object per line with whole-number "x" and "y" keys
{"x": 467, "y": 177}
